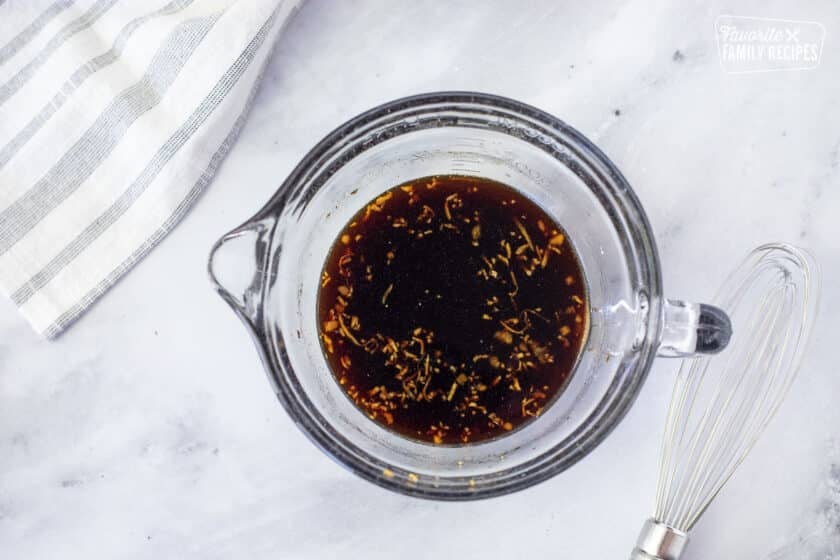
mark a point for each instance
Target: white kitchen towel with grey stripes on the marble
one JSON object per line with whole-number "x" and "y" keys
{"x": 114, "y": 115}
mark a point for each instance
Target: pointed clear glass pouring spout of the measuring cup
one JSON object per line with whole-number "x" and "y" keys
{"x": 238, "y": 266}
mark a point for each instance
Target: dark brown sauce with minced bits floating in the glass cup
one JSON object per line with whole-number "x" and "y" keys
{"x": 452, "y": 309}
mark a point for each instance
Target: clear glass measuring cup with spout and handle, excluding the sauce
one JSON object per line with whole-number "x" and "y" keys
{"x": 268, "y": 270}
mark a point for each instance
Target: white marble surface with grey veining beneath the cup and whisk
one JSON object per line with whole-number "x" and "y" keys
{"x": 150, "y": 431}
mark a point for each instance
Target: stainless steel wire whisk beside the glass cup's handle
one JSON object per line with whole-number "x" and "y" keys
{"x": 721, "y": 404}
